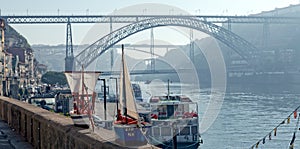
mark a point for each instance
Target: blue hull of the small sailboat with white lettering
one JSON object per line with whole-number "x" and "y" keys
{"x": 130, "y": 135}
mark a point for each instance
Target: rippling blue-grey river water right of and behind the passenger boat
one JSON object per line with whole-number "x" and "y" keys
{"x": 245, "y": 118}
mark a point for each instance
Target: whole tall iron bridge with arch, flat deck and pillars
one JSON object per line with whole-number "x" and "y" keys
{"x": 207, "y": 25}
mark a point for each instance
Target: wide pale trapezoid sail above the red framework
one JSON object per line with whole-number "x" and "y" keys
{"x": 77, "y": 81}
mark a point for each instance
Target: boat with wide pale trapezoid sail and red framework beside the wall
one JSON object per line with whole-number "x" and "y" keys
{"x": 82, "y": 84}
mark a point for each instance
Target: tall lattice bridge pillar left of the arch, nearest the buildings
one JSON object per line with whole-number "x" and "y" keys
{"x": 69, "y": 60}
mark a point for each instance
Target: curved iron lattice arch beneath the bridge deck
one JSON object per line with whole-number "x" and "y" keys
{"x": 235, "y": 42}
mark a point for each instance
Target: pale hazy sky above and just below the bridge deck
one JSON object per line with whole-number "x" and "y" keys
{"x": 55, "y": 34}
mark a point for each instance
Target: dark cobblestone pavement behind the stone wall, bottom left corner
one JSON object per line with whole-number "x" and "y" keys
{"x": 9, "y": 139}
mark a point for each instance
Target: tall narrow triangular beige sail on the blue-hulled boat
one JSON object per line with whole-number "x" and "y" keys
{"x": 127, "y": 99}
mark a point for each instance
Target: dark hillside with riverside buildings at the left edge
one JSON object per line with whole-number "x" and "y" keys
{"x": 18, "y": 65}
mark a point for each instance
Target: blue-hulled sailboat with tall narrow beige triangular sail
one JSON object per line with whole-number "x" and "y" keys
{"x": 130, "y": 128}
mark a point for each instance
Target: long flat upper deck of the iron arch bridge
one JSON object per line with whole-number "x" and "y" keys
{"x": 42, "y": 19}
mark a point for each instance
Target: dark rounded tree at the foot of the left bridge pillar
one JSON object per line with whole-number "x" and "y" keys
{"x": 52, "y": 77}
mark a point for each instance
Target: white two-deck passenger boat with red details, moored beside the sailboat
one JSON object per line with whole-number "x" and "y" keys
{"x": 175, "y": 122}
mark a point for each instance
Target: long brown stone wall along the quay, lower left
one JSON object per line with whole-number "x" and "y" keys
{"x": 48, "y": 130}
